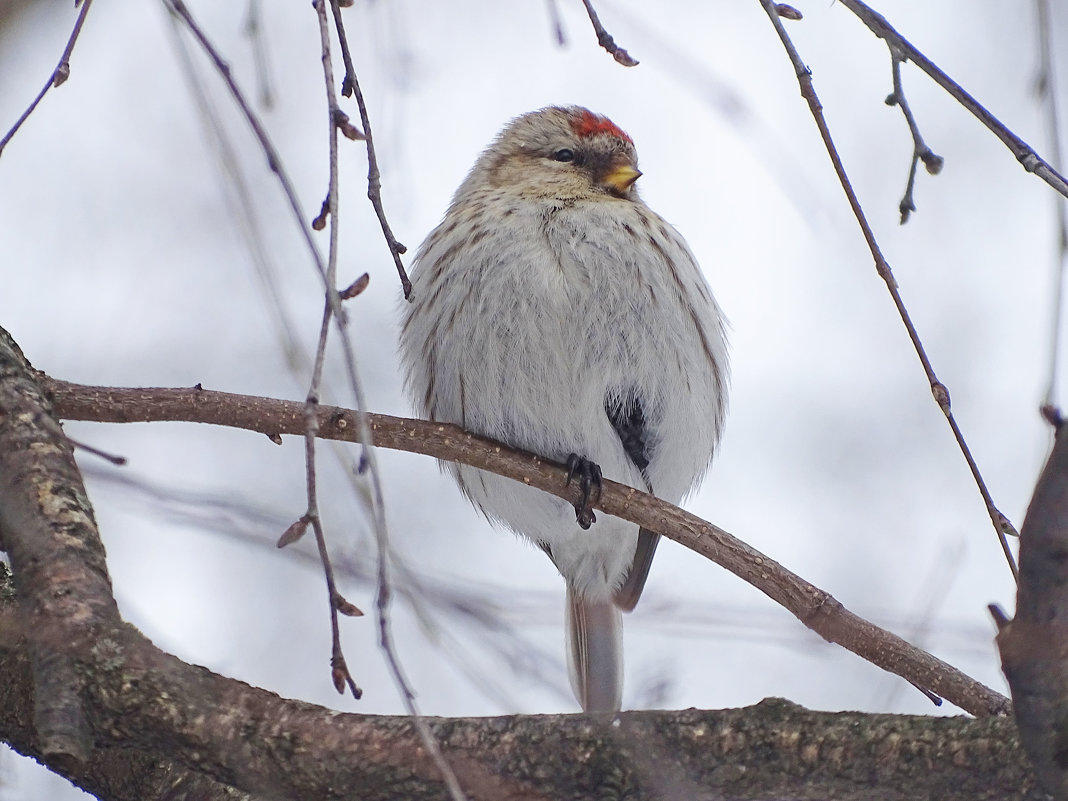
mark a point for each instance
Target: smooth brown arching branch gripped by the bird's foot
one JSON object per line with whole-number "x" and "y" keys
{"x": 815, "y": 608}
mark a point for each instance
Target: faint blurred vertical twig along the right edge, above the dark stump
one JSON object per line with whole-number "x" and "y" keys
{"x": 1047, "y": 91}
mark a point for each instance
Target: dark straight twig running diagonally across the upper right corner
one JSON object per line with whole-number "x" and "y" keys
{"x": 1025, "y": 153}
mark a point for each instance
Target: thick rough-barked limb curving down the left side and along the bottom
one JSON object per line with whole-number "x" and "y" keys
{"x": 92, "y": 699}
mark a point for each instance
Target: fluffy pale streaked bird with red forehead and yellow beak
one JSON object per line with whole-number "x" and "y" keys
{"x": 554, "y": 311}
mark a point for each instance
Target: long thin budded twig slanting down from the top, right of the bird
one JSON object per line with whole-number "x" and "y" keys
{"x": 1001, "y": 523}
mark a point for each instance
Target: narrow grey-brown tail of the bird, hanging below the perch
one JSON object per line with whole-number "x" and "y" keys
{"x": 595, "y": 653}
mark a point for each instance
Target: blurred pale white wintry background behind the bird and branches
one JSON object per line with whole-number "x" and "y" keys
{"x": 123, "y": 262}
